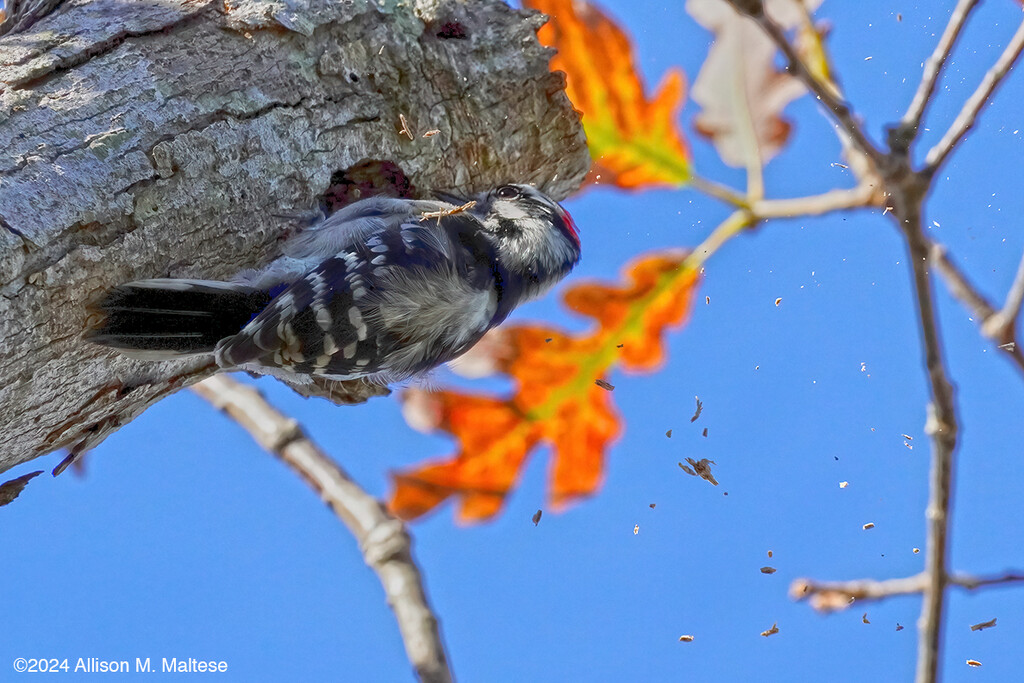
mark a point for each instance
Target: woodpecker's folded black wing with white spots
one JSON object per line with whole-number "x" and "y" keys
{"x": 389, "y": 302}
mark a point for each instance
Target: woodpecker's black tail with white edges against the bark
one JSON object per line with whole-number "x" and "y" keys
{"x": 163, "y": 319}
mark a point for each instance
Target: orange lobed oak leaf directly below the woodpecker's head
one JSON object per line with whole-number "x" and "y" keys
{"x": 557, "y": 401}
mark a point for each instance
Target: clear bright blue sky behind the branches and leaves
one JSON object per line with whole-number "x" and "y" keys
{"x": 186, "y": 540}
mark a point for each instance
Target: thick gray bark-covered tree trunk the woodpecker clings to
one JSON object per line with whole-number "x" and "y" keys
{"x": 146, "y": 139}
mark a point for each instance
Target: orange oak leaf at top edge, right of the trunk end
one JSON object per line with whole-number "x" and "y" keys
{"x": 635, "y": 142}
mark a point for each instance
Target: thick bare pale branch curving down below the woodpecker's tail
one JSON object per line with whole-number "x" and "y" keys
{"x": 385, "y": 542}
